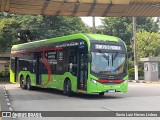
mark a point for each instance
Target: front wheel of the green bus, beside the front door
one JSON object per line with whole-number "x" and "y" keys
{"x": 67, "y": 88}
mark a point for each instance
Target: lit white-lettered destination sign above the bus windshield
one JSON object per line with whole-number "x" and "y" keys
{"x": 107, "y": 47}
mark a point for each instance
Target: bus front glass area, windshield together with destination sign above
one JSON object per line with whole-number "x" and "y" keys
{"x": 106, "y": 62}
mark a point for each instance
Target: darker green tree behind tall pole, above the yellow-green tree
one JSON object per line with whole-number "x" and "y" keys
{"x": 122, "y": 27}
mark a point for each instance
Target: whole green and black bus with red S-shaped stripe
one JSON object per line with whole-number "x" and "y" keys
{"x": 80, "y": 63}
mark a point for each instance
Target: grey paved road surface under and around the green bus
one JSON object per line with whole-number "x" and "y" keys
{"x": 139, "y": 97}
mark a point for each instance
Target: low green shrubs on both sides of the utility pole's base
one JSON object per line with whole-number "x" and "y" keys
{"x": 131, "y": 73}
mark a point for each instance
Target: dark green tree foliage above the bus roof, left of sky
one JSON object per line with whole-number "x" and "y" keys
{"x": 16, "y": 29}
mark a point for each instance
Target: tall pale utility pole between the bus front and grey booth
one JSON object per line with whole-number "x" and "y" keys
{"x": 135, "y": 49}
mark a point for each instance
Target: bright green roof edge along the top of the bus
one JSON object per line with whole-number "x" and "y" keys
{"x": 86, "y": 37}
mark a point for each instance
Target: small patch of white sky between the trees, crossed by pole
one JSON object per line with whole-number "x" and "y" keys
{"x": 88, "y": 21}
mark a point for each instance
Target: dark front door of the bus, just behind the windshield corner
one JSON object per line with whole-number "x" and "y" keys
{"x": 82, "y": 74}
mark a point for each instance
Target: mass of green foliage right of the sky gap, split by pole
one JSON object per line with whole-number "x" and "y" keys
{"x": 148, "y": 41}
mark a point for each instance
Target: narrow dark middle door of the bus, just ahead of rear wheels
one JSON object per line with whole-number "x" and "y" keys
{"x": 38, "y": 69}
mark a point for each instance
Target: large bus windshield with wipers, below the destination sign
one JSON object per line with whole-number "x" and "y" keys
{"x": 108, "y": 62}
